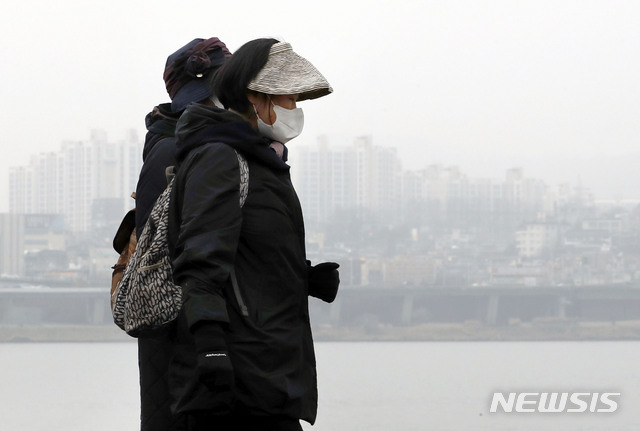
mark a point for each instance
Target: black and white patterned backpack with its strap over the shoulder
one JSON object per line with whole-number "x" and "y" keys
{"x": 146, "y": 298}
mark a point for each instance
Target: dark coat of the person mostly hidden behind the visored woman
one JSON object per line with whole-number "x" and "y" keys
{"x": 154, "y": 353}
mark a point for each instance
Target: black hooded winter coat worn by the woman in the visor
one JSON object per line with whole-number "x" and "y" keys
{"x": 269, "y": 342}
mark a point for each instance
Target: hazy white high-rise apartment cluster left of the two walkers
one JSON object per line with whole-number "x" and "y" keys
{"x": 87, "y": 182}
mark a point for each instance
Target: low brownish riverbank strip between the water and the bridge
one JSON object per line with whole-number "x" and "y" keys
{"x": 544, "y": 330}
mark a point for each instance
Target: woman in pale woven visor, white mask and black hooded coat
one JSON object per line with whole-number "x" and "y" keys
{"x": 244, "y": 356}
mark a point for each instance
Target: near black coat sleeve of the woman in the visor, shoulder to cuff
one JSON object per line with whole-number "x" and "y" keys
{"x": 209, "y": 230}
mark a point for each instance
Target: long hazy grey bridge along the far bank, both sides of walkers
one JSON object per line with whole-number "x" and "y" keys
{"x": 402, "y": 305}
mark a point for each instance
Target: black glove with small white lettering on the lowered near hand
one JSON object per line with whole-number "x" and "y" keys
{"x": 213, "y": 367}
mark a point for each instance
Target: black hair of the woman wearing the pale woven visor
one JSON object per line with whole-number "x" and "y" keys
{"x": 231, "y": 80}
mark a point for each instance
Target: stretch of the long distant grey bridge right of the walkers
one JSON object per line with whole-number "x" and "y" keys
{"x": 493, "y": 305}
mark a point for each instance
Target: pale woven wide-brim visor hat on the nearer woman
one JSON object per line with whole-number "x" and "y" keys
{"x": 288, "y": 73}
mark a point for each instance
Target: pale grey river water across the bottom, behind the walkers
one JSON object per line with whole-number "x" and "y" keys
{"x": 376, "y": 386}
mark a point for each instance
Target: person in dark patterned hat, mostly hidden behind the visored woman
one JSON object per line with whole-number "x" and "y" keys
{"x": 199, "y": 57}
